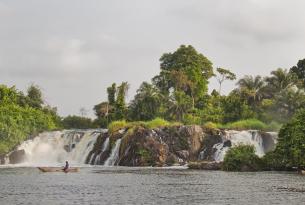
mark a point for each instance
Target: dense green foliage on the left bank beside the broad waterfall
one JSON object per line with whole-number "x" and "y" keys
{"x": 23, "y": 115}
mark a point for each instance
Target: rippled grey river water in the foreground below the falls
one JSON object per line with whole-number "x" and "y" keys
{"x": 118, "y": 185}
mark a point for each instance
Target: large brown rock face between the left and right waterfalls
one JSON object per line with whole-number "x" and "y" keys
{"x": 160, "y": 147}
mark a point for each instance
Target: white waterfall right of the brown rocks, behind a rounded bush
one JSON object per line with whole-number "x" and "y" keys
{"x": 251, "y": 137}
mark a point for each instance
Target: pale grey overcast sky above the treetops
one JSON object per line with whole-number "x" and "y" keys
{"x": 74, "y": 49}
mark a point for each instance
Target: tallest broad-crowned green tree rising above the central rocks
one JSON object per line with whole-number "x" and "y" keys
{"x": 186, "y": 65}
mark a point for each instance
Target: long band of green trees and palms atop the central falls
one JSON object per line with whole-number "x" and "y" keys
{"x": 179, "y": 93}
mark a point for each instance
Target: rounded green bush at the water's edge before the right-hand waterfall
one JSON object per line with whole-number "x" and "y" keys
{"x": 242, "y": 158}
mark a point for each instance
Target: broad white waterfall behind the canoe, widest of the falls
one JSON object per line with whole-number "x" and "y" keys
{"x": 54, "y": 148}
